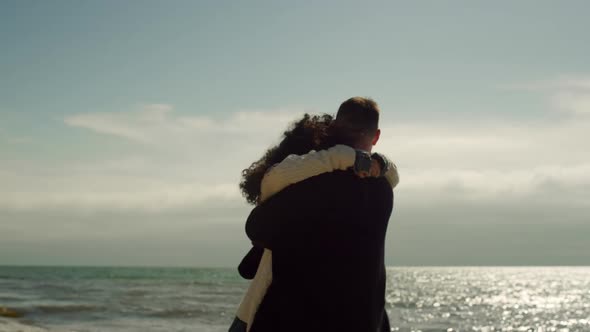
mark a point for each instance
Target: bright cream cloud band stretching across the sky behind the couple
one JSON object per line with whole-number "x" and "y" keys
{"x": 464, "y": 162}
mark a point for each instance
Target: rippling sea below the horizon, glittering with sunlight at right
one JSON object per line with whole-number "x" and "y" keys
{"x": 204, "y": 299}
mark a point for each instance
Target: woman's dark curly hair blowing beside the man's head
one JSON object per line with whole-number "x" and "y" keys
{"x": 312, "y": 132}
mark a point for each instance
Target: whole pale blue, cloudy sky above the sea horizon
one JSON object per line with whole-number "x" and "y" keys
{"x": 124, "y": 126}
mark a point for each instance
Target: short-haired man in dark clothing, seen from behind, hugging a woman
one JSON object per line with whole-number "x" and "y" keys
{"x": 327, "y": 235}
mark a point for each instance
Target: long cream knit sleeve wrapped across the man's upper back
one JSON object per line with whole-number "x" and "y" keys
{"x": 296, "y": 168}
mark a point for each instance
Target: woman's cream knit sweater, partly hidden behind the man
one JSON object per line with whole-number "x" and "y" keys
{"x": 291, "y": 170}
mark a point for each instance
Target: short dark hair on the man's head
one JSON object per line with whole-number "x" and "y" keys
{"x": 357, "y": 117}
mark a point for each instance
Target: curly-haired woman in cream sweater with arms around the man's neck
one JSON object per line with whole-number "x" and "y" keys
{"x": 294, "y": 159}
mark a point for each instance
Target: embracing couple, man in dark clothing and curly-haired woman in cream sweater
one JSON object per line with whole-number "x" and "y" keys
{"x": 323, "y": 202}
